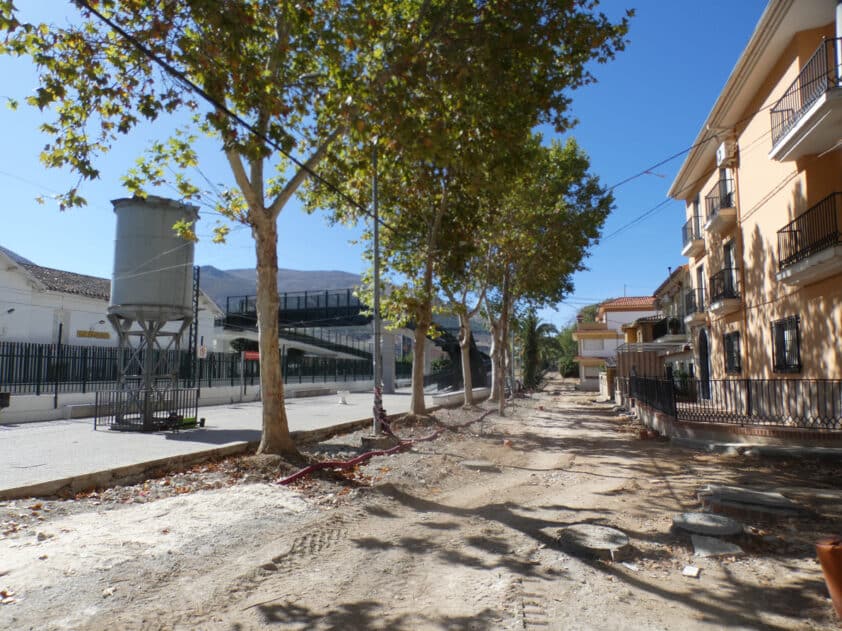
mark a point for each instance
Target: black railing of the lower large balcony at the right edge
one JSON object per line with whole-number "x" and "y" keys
{"x": 811, "y": 232}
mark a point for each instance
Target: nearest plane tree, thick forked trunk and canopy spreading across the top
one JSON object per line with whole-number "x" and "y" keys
{"x": 268, "y": 78}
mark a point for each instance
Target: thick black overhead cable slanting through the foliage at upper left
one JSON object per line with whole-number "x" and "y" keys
{"x": 181, "y": 77}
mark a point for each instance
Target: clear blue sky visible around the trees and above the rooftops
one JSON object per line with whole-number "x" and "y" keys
{"x": 648, "y": 104}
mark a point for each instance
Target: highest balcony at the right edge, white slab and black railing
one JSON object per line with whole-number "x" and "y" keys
{"x": 807, "y": 118}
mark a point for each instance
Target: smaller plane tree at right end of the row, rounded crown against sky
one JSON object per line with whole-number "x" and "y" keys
{"x": 551, "y": 216}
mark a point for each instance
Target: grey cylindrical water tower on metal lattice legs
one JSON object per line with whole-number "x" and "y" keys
{"x": 151, "y": 307}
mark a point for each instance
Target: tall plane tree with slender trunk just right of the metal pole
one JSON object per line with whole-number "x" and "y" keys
{"x": 468, "y": 104}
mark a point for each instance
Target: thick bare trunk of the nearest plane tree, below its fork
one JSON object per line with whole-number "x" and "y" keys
{"x": 275, "y": 438}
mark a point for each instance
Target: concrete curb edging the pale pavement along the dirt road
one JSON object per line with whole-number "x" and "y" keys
{"x": 131, "y": 474}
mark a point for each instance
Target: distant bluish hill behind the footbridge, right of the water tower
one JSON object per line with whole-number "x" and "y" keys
{"x": 219, "y": 284}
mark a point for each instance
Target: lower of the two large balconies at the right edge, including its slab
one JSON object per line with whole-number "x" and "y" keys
{"x": 810, "y": 247}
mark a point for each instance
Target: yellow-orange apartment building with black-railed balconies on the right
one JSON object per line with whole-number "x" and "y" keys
{"x": 763, "y": 194}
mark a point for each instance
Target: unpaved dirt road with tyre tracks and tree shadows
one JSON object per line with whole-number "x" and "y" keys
{"x": 417, "y": 541}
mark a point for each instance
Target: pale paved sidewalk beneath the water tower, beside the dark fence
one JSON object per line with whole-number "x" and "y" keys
{"x": 59, "y": 451}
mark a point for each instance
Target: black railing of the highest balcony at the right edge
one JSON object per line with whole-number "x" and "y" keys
{"x": 819, "y": 74}
